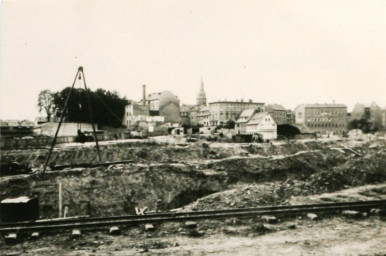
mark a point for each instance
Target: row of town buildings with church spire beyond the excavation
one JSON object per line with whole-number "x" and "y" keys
{"x": 249, "y": 117}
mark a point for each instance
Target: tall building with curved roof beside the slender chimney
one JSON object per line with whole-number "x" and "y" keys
{"x": 164, "y": 104}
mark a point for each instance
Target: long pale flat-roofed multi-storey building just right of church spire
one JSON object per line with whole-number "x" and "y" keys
{"x": 222, "y": 111}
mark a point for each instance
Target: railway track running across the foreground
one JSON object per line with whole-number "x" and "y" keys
{"x": 90, "y": 222}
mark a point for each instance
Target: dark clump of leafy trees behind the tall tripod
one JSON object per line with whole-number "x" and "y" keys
{"x": 104, "y": 107}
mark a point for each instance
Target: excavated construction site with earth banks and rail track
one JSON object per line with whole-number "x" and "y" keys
{"x": 184, "y": 184}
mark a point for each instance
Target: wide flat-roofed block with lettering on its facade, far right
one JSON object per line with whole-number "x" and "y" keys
{"x": 321, "y": 118}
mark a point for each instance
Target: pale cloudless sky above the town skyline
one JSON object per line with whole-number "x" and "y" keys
{"x": 284, "y": 52}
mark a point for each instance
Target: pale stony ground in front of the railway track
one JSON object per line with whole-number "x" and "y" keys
{"x": 330, "y": 236}
